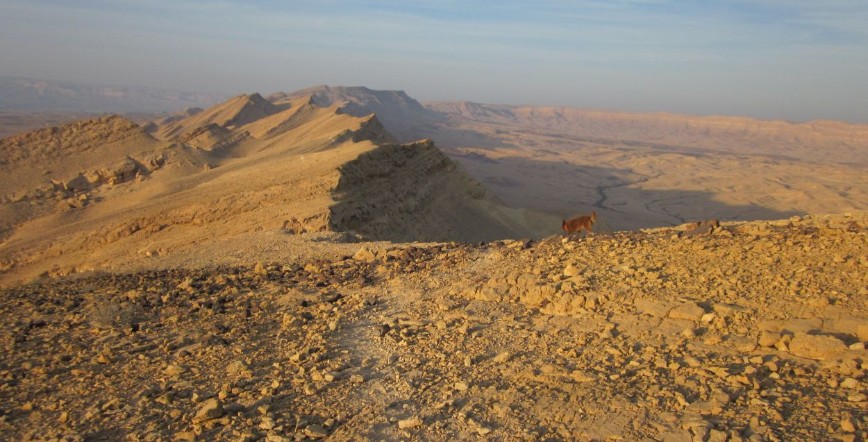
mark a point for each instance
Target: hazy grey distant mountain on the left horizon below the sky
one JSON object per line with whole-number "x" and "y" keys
{"x": 34, "y": 95}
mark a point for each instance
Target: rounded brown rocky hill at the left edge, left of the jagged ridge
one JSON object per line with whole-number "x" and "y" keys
{"x": 54, "y": 170}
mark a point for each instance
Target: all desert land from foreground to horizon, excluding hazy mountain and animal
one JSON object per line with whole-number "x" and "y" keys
{"x": 344, "y": 263}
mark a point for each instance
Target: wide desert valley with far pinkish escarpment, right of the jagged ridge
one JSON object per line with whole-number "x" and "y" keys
{"x": 637, "y": 169}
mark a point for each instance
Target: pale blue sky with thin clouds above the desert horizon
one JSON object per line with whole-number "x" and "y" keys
{"x": 771, "y": 59}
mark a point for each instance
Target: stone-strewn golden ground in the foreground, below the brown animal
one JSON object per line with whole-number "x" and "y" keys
{"x": 749, "y": 331}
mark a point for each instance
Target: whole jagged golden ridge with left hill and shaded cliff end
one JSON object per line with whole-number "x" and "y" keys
{"x": 107, "y": 194}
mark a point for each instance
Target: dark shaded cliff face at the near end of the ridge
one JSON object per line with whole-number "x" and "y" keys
{"x": 413, "y": 192}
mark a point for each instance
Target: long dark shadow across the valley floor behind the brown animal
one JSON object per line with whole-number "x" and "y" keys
{"x": 569, "y": 190}
